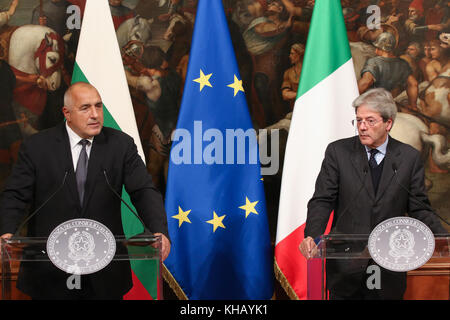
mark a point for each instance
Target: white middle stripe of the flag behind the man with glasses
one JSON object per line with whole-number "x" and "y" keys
{"x": 327, "y": 106}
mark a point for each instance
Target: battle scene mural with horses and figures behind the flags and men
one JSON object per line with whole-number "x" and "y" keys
{"x": 407, "y": 53}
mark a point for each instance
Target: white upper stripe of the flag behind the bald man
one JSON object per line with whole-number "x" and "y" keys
{"x": 98, "y": 58}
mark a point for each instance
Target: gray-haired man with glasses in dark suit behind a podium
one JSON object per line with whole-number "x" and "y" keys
{"x": 357, "y": 180}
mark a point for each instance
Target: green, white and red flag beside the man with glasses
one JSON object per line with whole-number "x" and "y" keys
{"x": 322, "y": 114}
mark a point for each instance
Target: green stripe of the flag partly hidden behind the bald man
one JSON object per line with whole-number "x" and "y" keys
{"x": 144, "y": 270}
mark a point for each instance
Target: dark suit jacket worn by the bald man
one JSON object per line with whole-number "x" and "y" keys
{"x": 39, "y": 171}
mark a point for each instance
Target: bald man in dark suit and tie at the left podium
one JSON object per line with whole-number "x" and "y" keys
{"x": 57, "y": 158}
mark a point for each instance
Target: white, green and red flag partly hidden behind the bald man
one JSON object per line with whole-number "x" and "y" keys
{"x": 99, "y": 62}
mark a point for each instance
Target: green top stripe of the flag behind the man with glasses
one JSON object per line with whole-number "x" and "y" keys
{"x": 324, "y": 53}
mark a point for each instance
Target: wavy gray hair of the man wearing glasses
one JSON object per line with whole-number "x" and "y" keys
{"x": 379, "y": 100}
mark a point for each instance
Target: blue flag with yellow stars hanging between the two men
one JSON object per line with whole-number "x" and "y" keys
{"x": 215, "y": 199}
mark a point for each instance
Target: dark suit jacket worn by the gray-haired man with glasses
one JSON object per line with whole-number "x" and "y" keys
{"x": 344, "y": 185}
